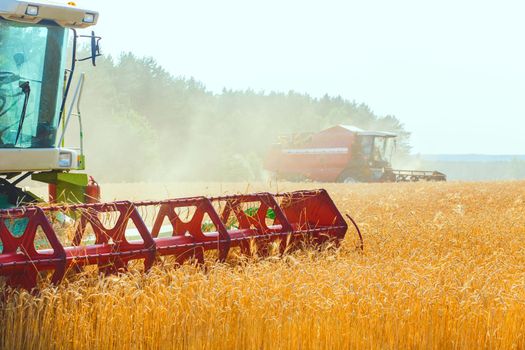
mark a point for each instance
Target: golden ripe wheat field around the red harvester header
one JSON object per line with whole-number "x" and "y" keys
{"x": 443, "y": 268}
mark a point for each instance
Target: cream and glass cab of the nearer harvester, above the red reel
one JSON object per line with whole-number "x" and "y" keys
{"x": 35, "y": 86}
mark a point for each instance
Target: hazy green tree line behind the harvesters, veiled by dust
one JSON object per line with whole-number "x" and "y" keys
{"x": 143, "y": 123}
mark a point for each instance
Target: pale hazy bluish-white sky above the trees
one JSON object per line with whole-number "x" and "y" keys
{"x": 452, "y": 71}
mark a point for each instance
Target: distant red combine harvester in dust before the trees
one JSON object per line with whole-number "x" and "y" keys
{"x": 342, "y": 153}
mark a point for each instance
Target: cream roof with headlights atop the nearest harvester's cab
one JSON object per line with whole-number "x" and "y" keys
{"x": 65, "y": 14}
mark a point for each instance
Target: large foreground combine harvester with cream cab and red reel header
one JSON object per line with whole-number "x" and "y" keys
{"x": 38, "y": 239}
